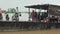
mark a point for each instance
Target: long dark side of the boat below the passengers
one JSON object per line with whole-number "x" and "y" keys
{"x": 27, "y": 24}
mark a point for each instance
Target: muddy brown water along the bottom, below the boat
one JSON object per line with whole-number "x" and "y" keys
{"x": 51, "y": 31}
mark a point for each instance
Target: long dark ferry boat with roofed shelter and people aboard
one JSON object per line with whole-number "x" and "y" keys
{"x": 42, "y": 20}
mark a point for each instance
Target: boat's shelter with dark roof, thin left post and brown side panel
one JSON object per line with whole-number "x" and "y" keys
{"x": 51, "y": 9}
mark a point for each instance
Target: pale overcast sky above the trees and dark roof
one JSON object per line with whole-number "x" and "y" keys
{"x": 5, "y": 4}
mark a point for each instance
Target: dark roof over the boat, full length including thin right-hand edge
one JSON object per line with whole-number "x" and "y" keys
{"x": 43, "y": 6}
